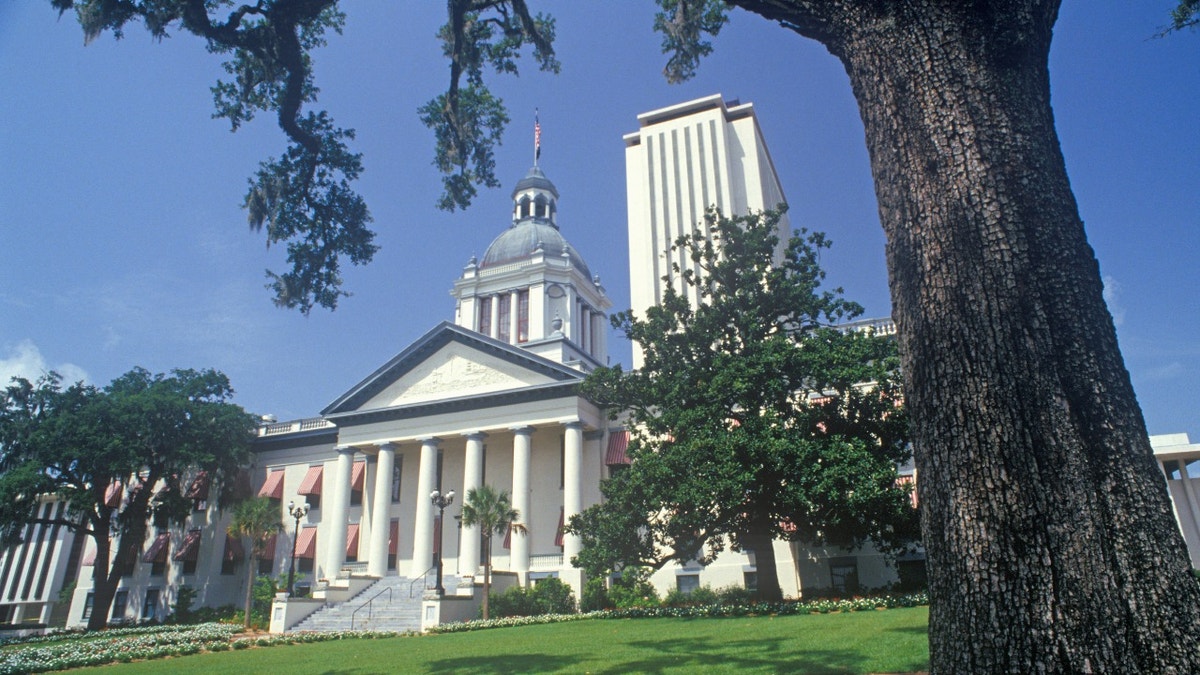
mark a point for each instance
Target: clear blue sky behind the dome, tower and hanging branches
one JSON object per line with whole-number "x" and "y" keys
{"x": 123, "y": 242}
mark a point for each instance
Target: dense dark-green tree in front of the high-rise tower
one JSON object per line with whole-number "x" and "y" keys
{"x": 749, "y": 421}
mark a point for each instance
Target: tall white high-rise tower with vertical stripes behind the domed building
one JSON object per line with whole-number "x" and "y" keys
{"x": 681, "y": 162}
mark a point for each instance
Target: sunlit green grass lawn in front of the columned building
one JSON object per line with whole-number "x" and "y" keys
{"x": 862, "y": 642}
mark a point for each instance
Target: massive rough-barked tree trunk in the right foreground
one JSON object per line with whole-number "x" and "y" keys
{"x": 1048, "y": 529}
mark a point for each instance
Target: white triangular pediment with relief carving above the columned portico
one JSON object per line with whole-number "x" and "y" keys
{"x": 451, "y": 363}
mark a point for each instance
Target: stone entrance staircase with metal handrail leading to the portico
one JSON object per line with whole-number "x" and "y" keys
{"x": 385, "y": 606}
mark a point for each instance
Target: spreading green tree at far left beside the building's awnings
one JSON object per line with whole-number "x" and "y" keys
{"x": 116, "y": 457}
